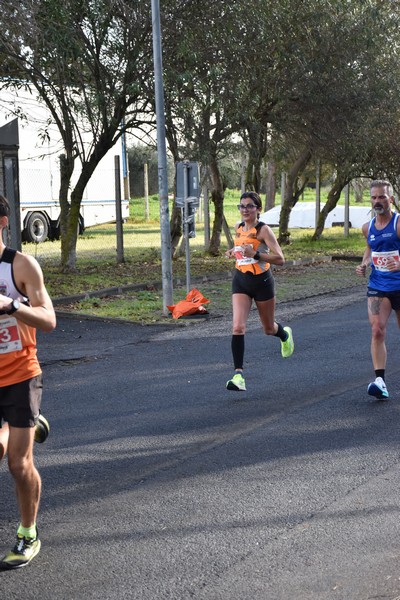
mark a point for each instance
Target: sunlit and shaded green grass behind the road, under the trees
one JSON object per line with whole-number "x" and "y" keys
{"x": 97, "y": 268}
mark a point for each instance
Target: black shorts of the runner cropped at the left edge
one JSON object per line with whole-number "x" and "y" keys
{"x": 20, "y": 402}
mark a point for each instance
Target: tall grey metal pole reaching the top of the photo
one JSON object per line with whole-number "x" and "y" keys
{"x": 166, "y": 258}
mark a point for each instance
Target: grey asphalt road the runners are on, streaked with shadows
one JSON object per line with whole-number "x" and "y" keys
{"x": 160, "y": 484}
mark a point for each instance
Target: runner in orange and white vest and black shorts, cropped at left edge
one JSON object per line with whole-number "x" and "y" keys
{"x": 24, "y": 306}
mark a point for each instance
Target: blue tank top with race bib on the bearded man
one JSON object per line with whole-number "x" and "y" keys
{"x": 384, "y": 243}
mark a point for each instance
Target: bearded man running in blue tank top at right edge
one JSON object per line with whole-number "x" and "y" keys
{"x": 382, "y": 254}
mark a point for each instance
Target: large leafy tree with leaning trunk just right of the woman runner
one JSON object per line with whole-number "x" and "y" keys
{"x": 333, "y": 77}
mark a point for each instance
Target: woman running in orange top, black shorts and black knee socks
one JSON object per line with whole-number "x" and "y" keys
{"x": 256, "y": 249}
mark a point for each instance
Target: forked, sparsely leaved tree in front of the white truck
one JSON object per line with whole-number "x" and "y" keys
{"x": 88, "y": 61}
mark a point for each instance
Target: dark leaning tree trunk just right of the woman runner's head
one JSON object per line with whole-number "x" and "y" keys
{"x": 293, "y": 191}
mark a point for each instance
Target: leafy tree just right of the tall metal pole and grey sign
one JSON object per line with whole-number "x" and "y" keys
{"x": 205, "y": 87}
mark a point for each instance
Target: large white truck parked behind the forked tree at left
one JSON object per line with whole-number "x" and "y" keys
{"x": 39, "y": 174}
